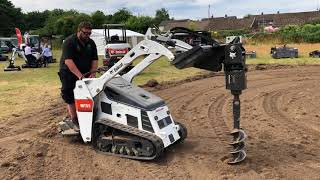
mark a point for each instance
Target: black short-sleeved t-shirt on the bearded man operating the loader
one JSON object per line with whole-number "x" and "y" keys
{"x": 81, "y": 54}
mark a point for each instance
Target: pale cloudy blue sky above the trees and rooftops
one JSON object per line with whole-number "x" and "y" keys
{"x": 178, "y": 9}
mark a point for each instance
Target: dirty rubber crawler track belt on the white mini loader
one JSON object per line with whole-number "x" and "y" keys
{"x": 156, "y": 141}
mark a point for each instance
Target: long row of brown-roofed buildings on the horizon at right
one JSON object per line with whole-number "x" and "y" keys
{"x": 251, "y": 22}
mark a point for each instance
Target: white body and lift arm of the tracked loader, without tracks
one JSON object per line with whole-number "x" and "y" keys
{"x": 113, "y": 97}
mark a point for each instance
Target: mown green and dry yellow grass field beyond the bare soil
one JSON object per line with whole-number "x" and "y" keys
{"x": 24, "y": 90}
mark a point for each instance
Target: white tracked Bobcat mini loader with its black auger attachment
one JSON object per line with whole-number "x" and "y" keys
{"x": 121, "y": 119}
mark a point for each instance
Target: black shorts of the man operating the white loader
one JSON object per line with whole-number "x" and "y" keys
{"x": 68, "y": 82}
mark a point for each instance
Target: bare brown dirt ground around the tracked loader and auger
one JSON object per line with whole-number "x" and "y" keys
{"x": 280, "y": 114}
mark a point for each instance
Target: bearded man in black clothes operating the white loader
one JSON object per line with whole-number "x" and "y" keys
{"x": 79, "y": 56}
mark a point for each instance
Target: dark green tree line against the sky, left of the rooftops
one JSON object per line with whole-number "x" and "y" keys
{"x": 65, "y": 22}
